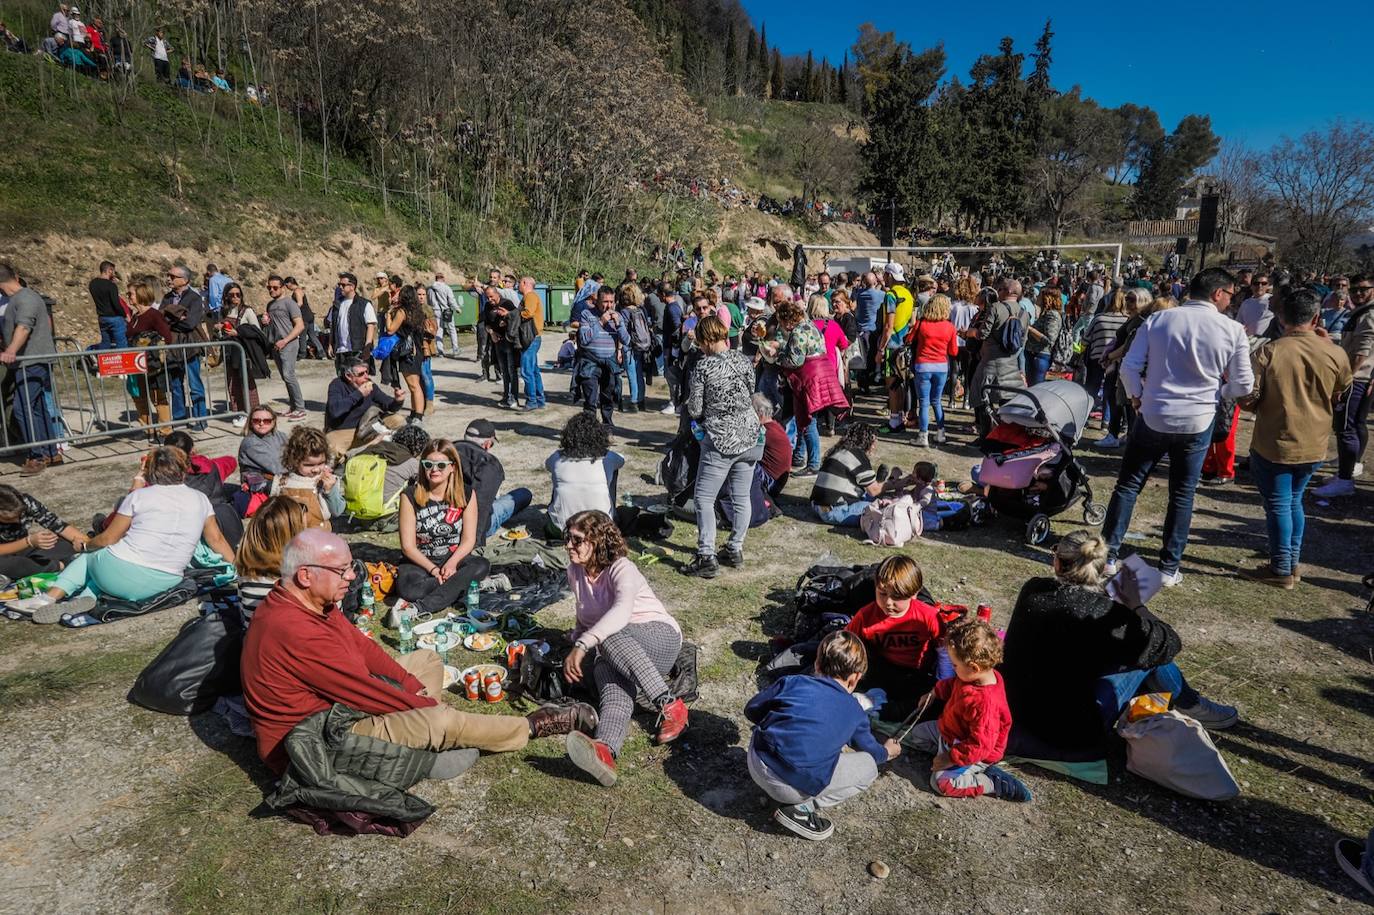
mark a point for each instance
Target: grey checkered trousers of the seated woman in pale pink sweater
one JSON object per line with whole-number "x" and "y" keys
{"x": 629, "y": 663}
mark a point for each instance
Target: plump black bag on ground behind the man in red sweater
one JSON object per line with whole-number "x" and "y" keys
{"x": 199, "y": 667}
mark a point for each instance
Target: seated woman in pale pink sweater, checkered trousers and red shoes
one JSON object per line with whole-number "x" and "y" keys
{"x": 624, "y": 640}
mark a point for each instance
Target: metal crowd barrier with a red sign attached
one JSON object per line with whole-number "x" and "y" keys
{"x": 79, "y": 396}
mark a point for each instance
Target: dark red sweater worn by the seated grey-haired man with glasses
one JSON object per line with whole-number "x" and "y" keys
{"x": 296, "y": 664}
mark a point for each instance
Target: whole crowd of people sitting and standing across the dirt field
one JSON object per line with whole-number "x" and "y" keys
{"x": 756, "y": 373}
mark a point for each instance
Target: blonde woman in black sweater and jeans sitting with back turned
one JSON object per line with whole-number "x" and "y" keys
{"x": 1074, "y": 659}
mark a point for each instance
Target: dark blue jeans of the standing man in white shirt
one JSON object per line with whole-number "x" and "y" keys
{"x": 1142, "y": 453}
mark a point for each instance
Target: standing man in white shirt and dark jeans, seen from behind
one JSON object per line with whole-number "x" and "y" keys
{"x": 1180, "y": 365}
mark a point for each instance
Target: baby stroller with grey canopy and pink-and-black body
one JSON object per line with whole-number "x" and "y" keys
{"x": 1028, "y": 469}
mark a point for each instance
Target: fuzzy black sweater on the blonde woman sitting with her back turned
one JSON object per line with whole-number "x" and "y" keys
{"x": 1061, "y": 640}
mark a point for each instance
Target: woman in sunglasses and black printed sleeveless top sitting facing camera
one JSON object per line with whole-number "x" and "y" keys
{"x": 439, "y": 532}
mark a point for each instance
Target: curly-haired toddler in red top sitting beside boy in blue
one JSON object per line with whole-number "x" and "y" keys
{"x": 972, "y": 732}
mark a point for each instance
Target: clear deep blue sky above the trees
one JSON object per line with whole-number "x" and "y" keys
{"x": 1266, "y": 69}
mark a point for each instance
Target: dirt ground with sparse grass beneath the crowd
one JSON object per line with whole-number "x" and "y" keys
{"x": 111, "y": 809}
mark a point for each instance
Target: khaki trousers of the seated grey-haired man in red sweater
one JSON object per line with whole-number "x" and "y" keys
{"x": 443, "y": 727}
